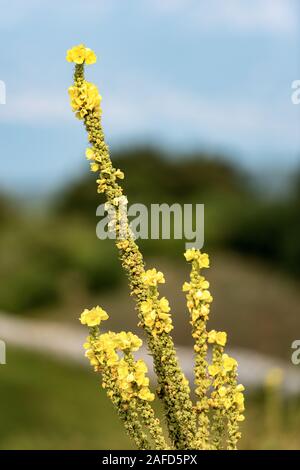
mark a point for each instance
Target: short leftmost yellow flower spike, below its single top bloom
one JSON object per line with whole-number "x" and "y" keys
{"x": 126, "y": 384}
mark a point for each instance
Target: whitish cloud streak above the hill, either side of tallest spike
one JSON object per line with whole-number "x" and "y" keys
{"x": 170, "y": 111}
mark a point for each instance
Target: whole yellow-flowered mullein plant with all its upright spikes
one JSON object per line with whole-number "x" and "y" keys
{"x": 210, "y": 421}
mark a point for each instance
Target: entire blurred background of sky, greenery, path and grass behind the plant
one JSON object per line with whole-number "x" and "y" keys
{"x": 196, "y": 109}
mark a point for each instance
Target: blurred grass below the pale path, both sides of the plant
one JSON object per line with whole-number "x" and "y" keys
{"x": 51, "y": 405}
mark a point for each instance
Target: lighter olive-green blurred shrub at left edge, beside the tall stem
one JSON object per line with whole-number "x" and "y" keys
{"x": 38, "y": 257}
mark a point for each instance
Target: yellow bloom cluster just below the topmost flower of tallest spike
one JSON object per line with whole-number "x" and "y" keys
{"x": 84, "y": 98}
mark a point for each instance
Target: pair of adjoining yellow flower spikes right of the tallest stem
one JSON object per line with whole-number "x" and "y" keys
{"x": 219, "y": 411}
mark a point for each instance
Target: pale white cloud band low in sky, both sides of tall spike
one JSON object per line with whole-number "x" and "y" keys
{"x": 171, "y": 116}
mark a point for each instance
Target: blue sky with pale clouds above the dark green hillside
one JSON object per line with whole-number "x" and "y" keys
{"x": 182, "y": 74}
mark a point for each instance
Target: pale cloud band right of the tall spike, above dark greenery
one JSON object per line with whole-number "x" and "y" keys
{"x": 178, "y": 117}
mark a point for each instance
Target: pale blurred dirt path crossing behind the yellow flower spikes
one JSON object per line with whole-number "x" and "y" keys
{"x": 65, "y": 343}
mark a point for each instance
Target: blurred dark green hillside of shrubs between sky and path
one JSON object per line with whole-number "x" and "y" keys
{"x": 45, "y": 254}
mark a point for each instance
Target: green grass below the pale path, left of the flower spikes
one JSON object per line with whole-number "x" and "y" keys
{"x": 47, "y": 405}
